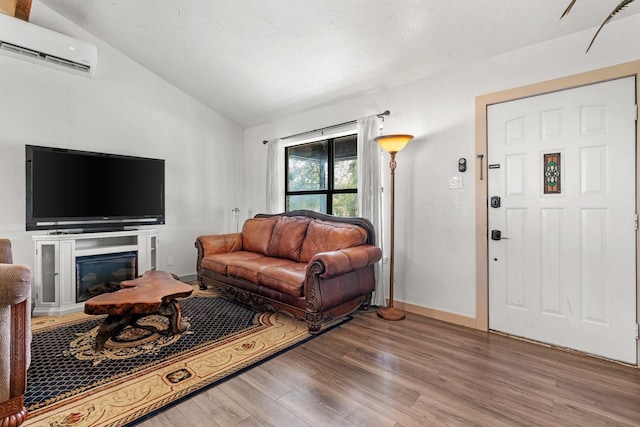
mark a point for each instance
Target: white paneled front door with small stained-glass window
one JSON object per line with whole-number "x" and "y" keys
{"x": 562, "y": 271}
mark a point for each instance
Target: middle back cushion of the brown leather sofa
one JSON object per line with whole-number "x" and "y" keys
{"x": 287, "y": 237}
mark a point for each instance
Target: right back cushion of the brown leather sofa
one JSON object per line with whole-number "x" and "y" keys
{"x": 323, "y": 236}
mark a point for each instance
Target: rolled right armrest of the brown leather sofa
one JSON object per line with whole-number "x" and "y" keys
{"x": 336, "y": 263}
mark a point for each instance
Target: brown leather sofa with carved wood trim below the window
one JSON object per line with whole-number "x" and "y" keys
{"x": 315, "y": 266}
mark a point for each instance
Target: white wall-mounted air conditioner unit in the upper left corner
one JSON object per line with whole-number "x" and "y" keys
{"x": 39, "y": 45}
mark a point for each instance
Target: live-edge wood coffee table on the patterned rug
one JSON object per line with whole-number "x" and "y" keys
{"x": 153, "y": 293}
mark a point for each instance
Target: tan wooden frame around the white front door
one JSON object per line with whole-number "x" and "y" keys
{"x": 629, "y": 69}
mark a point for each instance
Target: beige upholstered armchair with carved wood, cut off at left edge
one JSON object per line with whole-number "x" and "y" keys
{"x": 15, "y": 336}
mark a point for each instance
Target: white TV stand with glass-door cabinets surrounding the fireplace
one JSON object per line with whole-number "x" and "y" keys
{"x": 54, "y": 285}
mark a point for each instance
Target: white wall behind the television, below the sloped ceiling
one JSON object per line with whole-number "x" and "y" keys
{"x": 125, "y": 109}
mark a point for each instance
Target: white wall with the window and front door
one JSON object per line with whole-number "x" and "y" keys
{"x": 435, "y": 226}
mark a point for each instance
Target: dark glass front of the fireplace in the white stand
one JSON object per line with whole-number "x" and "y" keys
{"x": 98, "y": 274}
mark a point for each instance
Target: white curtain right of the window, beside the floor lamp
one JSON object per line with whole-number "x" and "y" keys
{"x": 370, "y": 191}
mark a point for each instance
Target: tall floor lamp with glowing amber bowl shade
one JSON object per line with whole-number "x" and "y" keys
{"x": 392, "y": 144}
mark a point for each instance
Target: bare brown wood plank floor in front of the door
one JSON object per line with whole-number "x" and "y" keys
{"x": 418, "y": 372}
